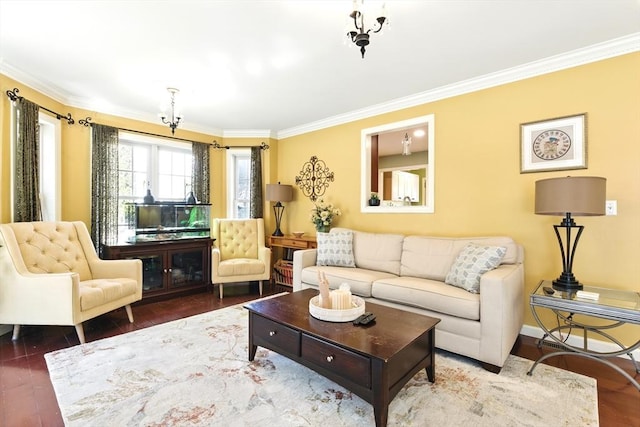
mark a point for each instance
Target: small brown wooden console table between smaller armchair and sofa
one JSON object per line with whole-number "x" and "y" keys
{"x": 283, "y": 261}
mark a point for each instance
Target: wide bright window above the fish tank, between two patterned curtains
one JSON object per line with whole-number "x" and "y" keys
{"x": 151, "y": 164}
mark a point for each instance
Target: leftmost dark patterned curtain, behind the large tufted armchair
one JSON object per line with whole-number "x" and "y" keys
{"x": 26, "y": 206}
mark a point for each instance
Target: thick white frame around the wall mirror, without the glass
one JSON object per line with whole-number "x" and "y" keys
{"x": 365, "y": 166}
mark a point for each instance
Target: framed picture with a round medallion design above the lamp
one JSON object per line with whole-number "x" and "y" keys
{"x": 554, "y": 144}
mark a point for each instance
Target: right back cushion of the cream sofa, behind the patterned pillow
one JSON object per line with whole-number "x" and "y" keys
{"x": 432, "y": 257}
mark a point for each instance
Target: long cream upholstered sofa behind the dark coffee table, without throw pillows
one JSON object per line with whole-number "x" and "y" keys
{"x": 408, "y": 272}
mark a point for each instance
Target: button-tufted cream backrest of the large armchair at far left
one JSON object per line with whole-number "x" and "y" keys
{"x": 51, "y": 247}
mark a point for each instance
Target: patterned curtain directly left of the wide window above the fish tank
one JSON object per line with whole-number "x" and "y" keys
{"x": 104, "y": 186}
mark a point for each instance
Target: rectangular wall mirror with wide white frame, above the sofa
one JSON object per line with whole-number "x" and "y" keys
{"x": 397, "y": 163}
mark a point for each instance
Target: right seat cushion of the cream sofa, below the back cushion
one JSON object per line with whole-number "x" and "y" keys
{"x": 430, "y": 295}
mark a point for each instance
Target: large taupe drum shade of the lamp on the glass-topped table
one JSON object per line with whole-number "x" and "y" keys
{"x": 577, "y": 195}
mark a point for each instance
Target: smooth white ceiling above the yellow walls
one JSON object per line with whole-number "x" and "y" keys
{"x": 248, "y": 67}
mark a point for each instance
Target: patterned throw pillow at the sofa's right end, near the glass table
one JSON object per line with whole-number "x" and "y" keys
{"x": 471, "y": 263}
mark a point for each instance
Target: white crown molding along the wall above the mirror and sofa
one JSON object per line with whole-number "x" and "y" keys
{"x": 598, "y": 52}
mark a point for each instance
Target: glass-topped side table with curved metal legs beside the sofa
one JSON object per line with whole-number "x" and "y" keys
{"x": 615, "y": 307}
